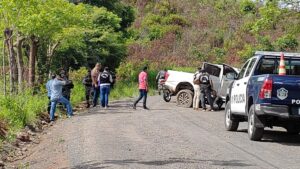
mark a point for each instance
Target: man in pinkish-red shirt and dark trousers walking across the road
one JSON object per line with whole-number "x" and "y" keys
{"x": 143, "y": 88}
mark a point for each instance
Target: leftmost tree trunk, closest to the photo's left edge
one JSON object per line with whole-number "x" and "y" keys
{"x": 8, "y": 33}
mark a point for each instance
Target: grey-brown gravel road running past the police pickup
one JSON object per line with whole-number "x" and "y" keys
{"x": 164, "y": 137}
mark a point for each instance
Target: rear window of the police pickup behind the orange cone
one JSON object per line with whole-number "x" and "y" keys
{"x": 271, "y": 66}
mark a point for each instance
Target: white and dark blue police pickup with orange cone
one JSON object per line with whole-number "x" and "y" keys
{"x": 262, "y": 97}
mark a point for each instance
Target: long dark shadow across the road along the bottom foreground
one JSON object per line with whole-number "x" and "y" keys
{"x": 94, "y": 165}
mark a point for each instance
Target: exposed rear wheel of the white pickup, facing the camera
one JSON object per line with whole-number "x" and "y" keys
{"x": 184, "y": 98}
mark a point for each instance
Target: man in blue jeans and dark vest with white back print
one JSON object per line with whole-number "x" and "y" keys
{"x": 106, "y": 80}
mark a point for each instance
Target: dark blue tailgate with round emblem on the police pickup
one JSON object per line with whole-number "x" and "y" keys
{"x": 286, "y": 90}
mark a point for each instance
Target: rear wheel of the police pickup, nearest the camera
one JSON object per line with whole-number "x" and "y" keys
{"x": 254, "y": 132}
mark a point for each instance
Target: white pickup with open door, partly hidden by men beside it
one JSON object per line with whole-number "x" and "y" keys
{"x": 181, "y": 84}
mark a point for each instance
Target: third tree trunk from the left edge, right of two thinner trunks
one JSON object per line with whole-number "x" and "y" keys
{"x": 32, "y": 60}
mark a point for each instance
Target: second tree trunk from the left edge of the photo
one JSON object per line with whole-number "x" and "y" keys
{"x": 20, "y": 62}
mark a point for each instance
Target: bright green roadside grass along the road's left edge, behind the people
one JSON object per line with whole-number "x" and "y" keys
{"x": 19, "y": 110}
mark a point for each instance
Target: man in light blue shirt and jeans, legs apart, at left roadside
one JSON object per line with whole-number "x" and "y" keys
{"x": 56, "y": 97}
